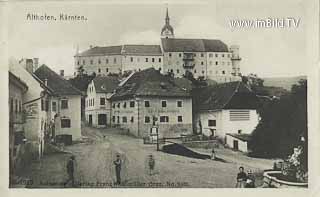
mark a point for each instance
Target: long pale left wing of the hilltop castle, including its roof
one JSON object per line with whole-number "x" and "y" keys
{"x": 119, "y": 59}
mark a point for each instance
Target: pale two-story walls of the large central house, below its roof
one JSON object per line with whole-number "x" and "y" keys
{"x": 140, "y": 128}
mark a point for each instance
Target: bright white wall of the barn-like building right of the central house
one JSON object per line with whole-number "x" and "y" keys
{"x": 223, "y": 123}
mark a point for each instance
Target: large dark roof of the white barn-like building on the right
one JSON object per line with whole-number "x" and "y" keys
{"x": 233, "y": 95}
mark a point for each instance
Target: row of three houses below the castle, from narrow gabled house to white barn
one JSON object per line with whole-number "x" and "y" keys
{"x": 148, "y": 98}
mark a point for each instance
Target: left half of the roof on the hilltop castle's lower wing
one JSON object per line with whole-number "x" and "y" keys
{"x": 96, "y": 51}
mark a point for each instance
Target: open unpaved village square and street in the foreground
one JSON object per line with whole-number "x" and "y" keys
{"x": 94, "y": 165}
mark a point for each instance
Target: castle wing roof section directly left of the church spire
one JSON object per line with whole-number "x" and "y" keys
{"x": 141, "y": 50}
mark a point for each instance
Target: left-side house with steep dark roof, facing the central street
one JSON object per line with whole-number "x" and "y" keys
{"x": 63, "y": 106}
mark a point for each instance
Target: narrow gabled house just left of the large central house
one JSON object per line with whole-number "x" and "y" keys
{"x": 97, "y": 102}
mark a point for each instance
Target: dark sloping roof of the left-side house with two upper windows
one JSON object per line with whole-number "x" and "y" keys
{"x": 55, "y": 82}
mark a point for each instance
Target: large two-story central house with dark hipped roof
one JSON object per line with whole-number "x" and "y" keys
{"x": 149, "y": 99}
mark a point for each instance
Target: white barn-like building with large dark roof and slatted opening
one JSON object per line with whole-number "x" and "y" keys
{"x": 226, "y": 110}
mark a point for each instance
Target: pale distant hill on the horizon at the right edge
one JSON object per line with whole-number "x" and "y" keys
{"x": 284, "y": 82}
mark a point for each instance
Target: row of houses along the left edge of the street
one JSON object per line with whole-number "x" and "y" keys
{"x": 42, "y": 105}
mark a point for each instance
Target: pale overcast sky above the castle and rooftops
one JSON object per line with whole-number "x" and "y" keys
{"x": 268, "y": 52}
